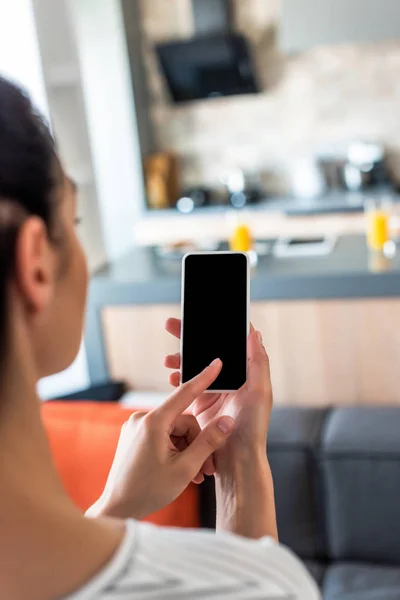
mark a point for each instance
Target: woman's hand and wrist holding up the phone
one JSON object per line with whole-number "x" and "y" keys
{"x": 241, "y": 464}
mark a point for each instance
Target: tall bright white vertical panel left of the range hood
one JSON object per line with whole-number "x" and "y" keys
{"x": 111, "y": 118}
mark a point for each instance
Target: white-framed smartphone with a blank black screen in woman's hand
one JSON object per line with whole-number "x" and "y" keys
{"x": 215, "y": 316}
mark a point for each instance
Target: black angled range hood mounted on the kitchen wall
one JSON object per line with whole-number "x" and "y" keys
{"x": 216, "y": 62}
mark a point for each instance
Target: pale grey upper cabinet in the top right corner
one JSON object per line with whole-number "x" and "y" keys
{"x": 309, "y": 23}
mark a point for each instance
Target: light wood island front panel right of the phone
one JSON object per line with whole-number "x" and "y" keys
{"x": 333, "y": 352}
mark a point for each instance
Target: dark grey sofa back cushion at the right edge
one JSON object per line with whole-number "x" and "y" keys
{"x": 360, "y": 461}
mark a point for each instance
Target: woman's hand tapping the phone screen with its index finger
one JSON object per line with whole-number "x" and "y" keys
{"x": 159, "y": 453}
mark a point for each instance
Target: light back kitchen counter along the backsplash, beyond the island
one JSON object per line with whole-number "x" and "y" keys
{"x": 336, "y": 214}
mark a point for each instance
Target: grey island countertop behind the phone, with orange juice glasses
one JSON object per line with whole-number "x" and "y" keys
{"x": 144, "y": 277}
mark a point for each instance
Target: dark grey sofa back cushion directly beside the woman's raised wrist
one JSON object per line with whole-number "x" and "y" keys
{"x": 293, "y": 436}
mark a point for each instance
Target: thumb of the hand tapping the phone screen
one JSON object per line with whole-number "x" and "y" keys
{"x": 207, "y": 442}
